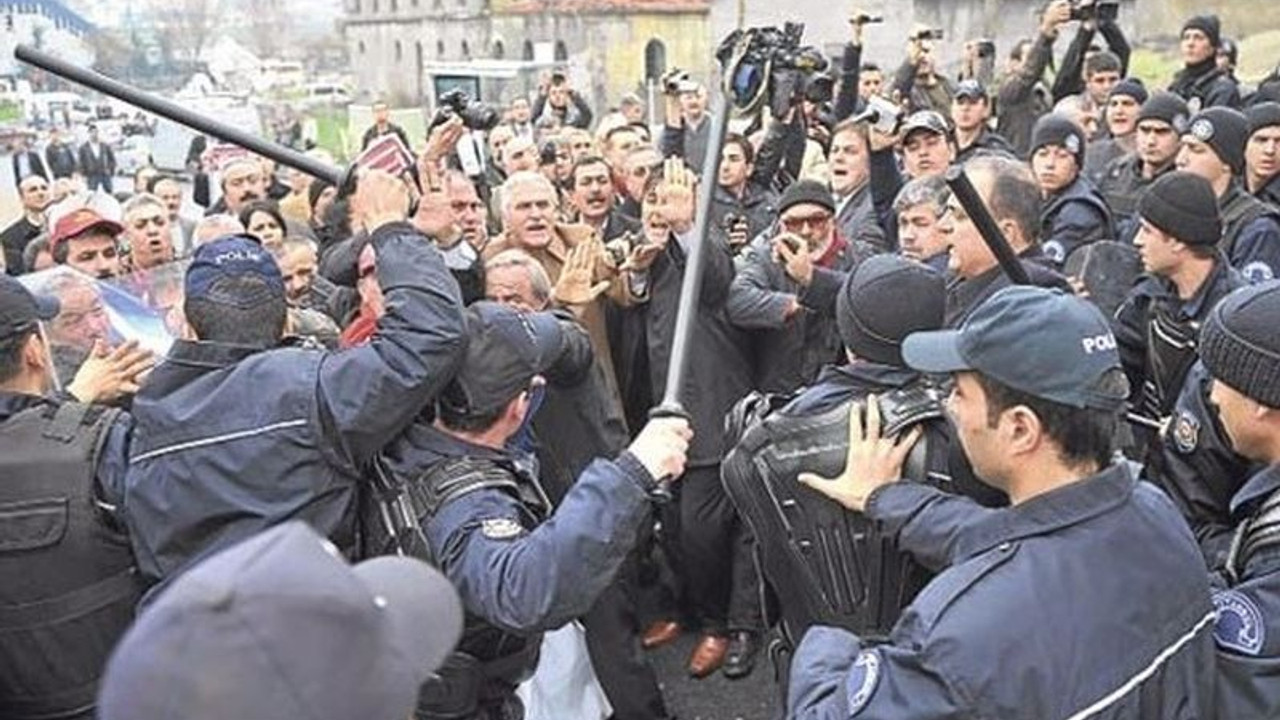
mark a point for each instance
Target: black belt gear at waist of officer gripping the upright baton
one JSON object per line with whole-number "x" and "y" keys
{"x": 468, "y": 689}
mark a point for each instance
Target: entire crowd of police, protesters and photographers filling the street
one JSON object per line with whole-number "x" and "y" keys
{"x": 931, "y": 481}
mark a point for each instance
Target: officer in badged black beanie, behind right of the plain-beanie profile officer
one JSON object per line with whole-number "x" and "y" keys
{"x": 1214, "y": 149}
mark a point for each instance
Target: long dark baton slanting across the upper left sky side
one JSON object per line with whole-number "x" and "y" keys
{"x": 339, "y": 177}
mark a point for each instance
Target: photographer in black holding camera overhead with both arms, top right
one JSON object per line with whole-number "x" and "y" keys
{"x": 1085, "y": 70}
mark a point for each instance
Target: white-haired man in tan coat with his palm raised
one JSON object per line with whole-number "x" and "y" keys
{"x": 574, "y": 257}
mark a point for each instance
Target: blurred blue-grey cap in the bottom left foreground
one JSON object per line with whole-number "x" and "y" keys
{"x": 278, "y": 627}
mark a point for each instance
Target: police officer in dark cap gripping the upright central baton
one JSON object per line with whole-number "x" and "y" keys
{"x": 487, "y": 522}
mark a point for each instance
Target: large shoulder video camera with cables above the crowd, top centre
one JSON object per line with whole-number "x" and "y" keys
{"x": 770, "y": 66}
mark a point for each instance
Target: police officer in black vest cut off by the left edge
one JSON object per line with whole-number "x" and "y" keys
{"x": 68, "y": 584}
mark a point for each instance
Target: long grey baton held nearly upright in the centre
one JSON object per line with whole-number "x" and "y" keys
{"x": 692, "y": 285}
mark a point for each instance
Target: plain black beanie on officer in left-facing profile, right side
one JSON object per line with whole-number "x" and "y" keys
{"x": 1185, "y": 207}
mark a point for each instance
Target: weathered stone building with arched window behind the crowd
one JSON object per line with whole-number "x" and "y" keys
{"x": 397, "y": 48}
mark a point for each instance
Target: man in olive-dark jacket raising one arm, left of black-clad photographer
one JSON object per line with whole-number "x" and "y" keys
{"x": 1023, "y": 98}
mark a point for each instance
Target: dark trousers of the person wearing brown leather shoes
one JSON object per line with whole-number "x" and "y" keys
{"x": 715, "y": 555}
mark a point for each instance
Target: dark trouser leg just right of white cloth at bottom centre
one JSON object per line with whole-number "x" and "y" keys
{"x": 614, "y": 642}
